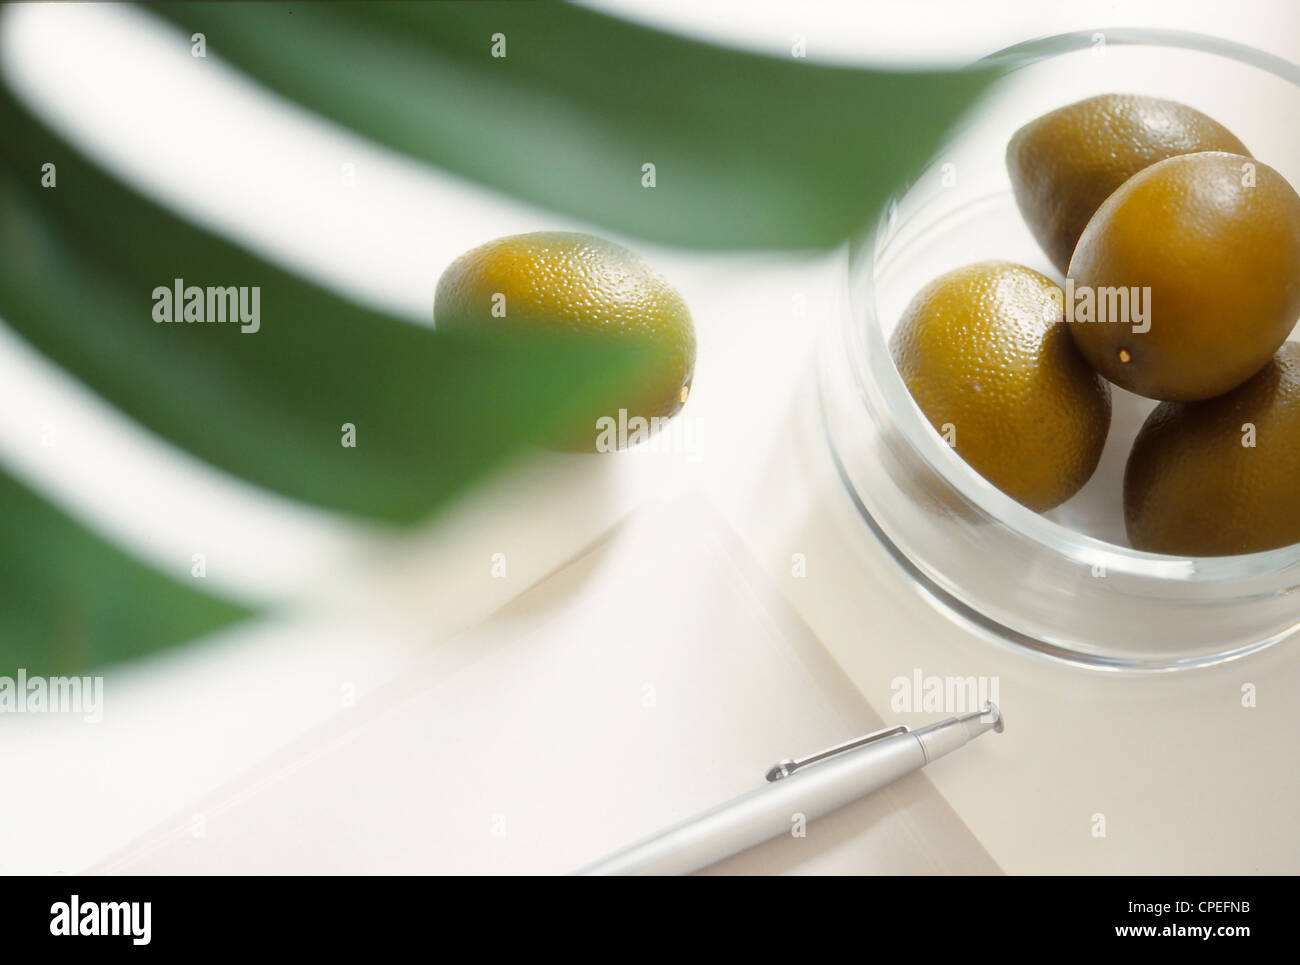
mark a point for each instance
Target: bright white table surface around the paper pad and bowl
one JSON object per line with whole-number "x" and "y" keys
{"x": 1188, "y": 778}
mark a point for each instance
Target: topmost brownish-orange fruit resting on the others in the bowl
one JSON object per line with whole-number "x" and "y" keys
{"x": 1208, "y": 249}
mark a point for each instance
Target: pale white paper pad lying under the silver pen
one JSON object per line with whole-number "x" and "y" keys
{"x": 652, "y": 678}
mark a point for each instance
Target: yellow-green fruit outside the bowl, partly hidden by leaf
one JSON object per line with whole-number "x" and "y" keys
{"x": 577, "y": 284}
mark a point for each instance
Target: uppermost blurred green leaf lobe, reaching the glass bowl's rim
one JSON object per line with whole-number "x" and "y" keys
{"x": 749, "y": 152}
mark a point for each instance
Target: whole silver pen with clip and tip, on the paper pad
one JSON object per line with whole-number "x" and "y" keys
{"x": 843, "y": 774}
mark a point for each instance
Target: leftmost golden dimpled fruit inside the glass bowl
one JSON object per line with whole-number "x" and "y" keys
{"x": 986, "y": 354}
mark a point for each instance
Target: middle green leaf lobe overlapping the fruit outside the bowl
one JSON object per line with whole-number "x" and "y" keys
{"x": 80, "y": 263}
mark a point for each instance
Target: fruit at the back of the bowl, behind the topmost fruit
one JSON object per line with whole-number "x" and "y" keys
{"x": 1067, "y": 163}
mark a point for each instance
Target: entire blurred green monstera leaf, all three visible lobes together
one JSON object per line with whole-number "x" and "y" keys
{"x": 746, "y": 152}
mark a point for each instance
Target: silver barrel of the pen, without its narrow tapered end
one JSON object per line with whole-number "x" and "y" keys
{"x": 769, "y": 812}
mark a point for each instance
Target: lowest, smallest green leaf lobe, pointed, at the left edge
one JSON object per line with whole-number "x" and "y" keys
{"x": 71, "y": 603}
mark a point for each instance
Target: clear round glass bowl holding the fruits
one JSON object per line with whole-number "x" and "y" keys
{"x": 1061, "y": 583}
